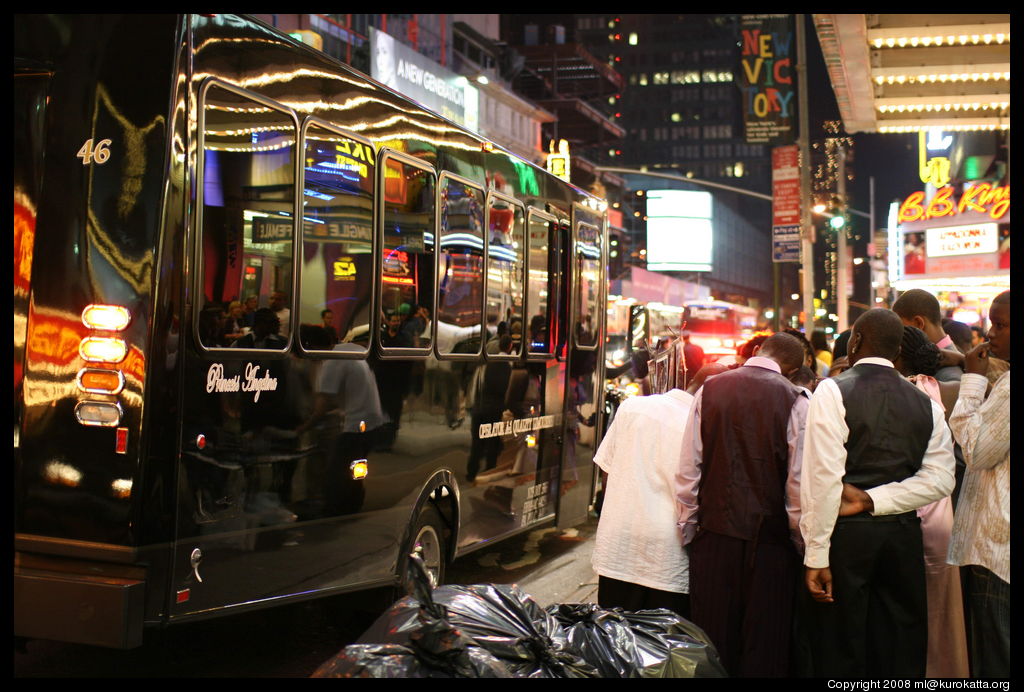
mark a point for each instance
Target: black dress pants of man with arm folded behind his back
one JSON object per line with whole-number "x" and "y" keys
{"x": 878, "y": 625}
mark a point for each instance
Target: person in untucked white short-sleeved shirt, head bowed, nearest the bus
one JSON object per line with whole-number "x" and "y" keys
{"x": 638, "y": 557}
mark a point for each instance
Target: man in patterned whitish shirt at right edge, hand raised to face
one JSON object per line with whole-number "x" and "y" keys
{"x": 982, "y": 524}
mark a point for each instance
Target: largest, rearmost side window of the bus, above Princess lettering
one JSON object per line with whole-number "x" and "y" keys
{"x": 247, "y": 233}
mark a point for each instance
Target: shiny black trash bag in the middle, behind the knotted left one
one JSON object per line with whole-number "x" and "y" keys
{"x": 501, "y": 620}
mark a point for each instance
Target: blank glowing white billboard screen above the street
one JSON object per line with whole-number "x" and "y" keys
{"x": 679, "y": 231}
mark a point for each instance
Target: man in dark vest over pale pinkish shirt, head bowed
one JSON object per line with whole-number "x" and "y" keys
{"x": 739, "y": 506}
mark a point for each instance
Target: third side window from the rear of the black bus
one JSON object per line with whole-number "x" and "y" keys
{"x": 408, "y": 286}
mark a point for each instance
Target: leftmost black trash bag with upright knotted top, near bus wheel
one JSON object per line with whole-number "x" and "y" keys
{"x": 425, "y": 646}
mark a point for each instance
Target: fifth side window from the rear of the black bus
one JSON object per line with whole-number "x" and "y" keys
{"x": 506, "y": 274}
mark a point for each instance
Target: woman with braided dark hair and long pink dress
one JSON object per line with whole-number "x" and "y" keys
{"x": 919, "y": 361}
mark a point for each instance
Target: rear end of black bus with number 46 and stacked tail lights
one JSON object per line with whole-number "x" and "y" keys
{"x": 93, "y": 95}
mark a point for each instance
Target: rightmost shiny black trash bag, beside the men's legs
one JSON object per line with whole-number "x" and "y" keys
{"x": 638, "y": 644}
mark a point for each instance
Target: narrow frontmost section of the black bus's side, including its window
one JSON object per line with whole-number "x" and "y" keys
{"x": 583, "y": 399}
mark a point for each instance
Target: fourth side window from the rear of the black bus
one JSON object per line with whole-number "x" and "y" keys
{"x": 460, "y": 291}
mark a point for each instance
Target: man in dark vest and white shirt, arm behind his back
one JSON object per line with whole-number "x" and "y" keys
{"x": 877, "y": 449}
